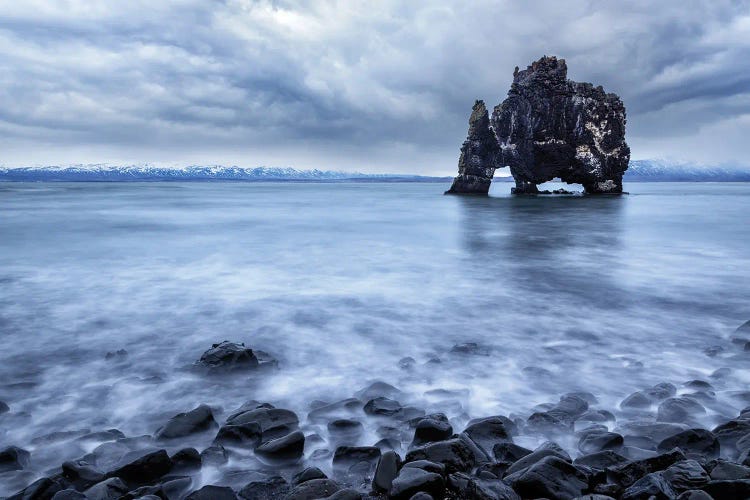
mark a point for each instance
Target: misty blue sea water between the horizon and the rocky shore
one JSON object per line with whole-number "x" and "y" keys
{"x": 340, "y": 281}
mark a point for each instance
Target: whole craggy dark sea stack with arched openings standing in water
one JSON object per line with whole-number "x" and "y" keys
{"x": 547, "y": 127}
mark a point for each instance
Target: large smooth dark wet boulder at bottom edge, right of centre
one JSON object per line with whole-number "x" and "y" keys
{"x": 551, "y": 477}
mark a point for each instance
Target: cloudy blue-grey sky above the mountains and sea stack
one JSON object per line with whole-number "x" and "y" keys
{"x": 370, "y": 86}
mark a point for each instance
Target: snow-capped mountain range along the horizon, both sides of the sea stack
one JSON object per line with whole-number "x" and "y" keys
{"x": 638, "y": 171}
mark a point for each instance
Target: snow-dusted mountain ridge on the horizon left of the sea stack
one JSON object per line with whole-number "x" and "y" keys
{"x": 112, "y": 173}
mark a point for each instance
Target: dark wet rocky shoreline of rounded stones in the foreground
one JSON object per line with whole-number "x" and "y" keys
{"x": 652, "y": 446}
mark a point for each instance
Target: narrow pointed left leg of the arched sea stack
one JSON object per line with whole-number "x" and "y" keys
{"x": 480, "y": 155}
